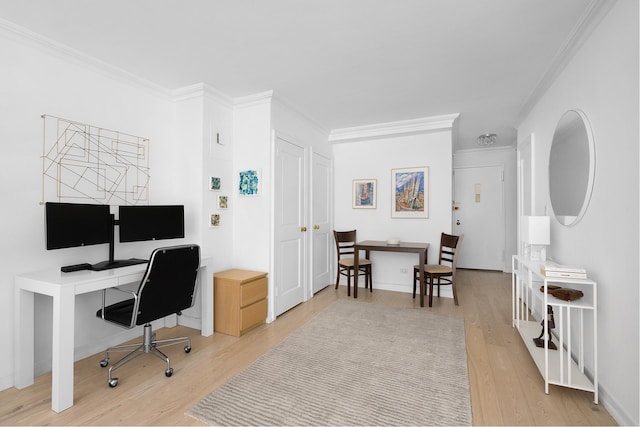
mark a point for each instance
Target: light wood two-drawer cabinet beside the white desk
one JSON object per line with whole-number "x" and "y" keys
{"x": 240, "y": 301}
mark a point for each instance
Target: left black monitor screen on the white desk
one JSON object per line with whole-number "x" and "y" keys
{"x": 74, "y": 224}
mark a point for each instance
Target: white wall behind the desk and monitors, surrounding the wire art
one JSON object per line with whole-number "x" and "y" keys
{"x": 35, "y": 80}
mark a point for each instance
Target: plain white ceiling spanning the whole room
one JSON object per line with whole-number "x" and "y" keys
{"x": 344, "y": 63}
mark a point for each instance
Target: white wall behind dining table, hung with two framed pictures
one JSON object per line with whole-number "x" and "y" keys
{"x": 374, "y": 159}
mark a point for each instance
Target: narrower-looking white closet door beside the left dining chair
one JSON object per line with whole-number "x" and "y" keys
{"x": 321, "y": 220}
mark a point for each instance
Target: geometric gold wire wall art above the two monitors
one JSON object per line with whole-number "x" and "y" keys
{"x": 81, "y": 161}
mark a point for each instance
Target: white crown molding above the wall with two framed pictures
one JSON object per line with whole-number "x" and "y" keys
{"x": 425, "y": 124}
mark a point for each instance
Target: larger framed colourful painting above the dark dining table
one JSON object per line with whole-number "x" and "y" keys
{"x": 410, "y": 193}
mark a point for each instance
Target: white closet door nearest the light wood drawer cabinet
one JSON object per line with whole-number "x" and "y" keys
{"x": 289, "y": 229}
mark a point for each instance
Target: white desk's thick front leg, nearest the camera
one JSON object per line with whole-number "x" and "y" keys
{"x": 62, "y": 350}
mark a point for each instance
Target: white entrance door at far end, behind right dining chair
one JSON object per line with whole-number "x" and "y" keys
{"x": 479, "y": 215}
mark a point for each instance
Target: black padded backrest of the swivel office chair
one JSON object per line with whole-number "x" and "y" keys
{"x": 169, "y": 284}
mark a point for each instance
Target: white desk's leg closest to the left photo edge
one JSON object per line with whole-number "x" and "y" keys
{"x": 23, "y": 339}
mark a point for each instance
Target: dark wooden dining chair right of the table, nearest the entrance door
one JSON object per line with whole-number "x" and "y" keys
{"x": 445, "y": 271}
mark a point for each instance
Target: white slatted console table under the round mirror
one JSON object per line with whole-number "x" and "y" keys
{"x": 566, "y": 365}
